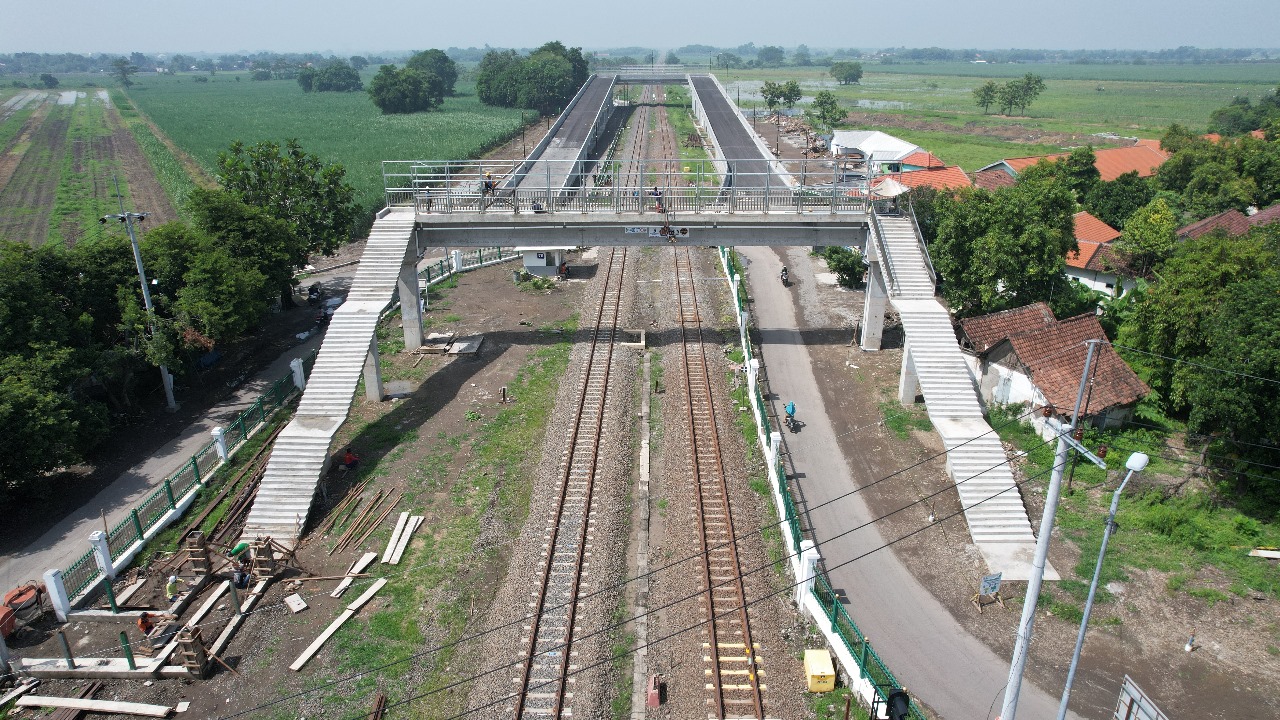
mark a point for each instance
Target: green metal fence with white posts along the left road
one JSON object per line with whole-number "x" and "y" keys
{"x": 195, "y": 472}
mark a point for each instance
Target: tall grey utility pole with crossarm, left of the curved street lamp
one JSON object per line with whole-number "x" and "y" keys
{"x": 1022, "y": 648}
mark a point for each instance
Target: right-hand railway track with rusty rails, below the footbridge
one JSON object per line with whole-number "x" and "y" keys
{"x": 733, "y": 666}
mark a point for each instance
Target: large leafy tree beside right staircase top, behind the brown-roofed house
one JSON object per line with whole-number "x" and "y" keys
{"x": 1005, "y": 249}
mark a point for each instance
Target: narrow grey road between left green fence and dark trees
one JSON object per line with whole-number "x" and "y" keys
{"x": 68, "y": 540}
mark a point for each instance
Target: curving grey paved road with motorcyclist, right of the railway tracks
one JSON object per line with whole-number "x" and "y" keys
{"x": 917, "y": 637}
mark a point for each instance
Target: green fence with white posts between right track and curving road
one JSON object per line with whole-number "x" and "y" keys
{"x": 870, "y": 663}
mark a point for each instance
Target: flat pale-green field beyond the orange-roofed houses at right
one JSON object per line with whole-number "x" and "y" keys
{"x": 1080, "y": 101}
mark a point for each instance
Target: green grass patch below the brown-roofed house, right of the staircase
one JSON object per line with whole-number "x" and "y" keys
{"x": 1180, "y": 535}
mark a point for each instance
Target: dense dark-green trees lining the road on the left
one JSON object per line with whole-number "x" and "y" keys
{"x": 76, "y": 341}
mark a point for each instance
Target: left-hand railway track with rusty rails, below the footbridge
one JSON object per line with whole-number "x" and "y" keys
{"x": 545, "y": 682}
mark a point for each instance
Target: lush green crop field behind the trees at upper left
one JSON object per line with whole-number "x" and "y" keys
{"x": 340, "y": 127}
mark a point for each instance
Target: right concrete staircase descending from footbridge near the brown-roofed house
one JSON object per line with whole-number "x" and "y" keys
{"x": 976, "y": 459}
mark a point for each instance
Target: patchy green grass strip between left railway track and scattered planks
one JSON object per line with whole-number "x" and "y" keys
{"x": 435, "y": 596}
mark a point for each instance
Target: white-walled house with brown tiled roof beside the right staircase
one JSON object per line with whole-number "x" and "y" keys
{"x": 1040, "y": 363}
